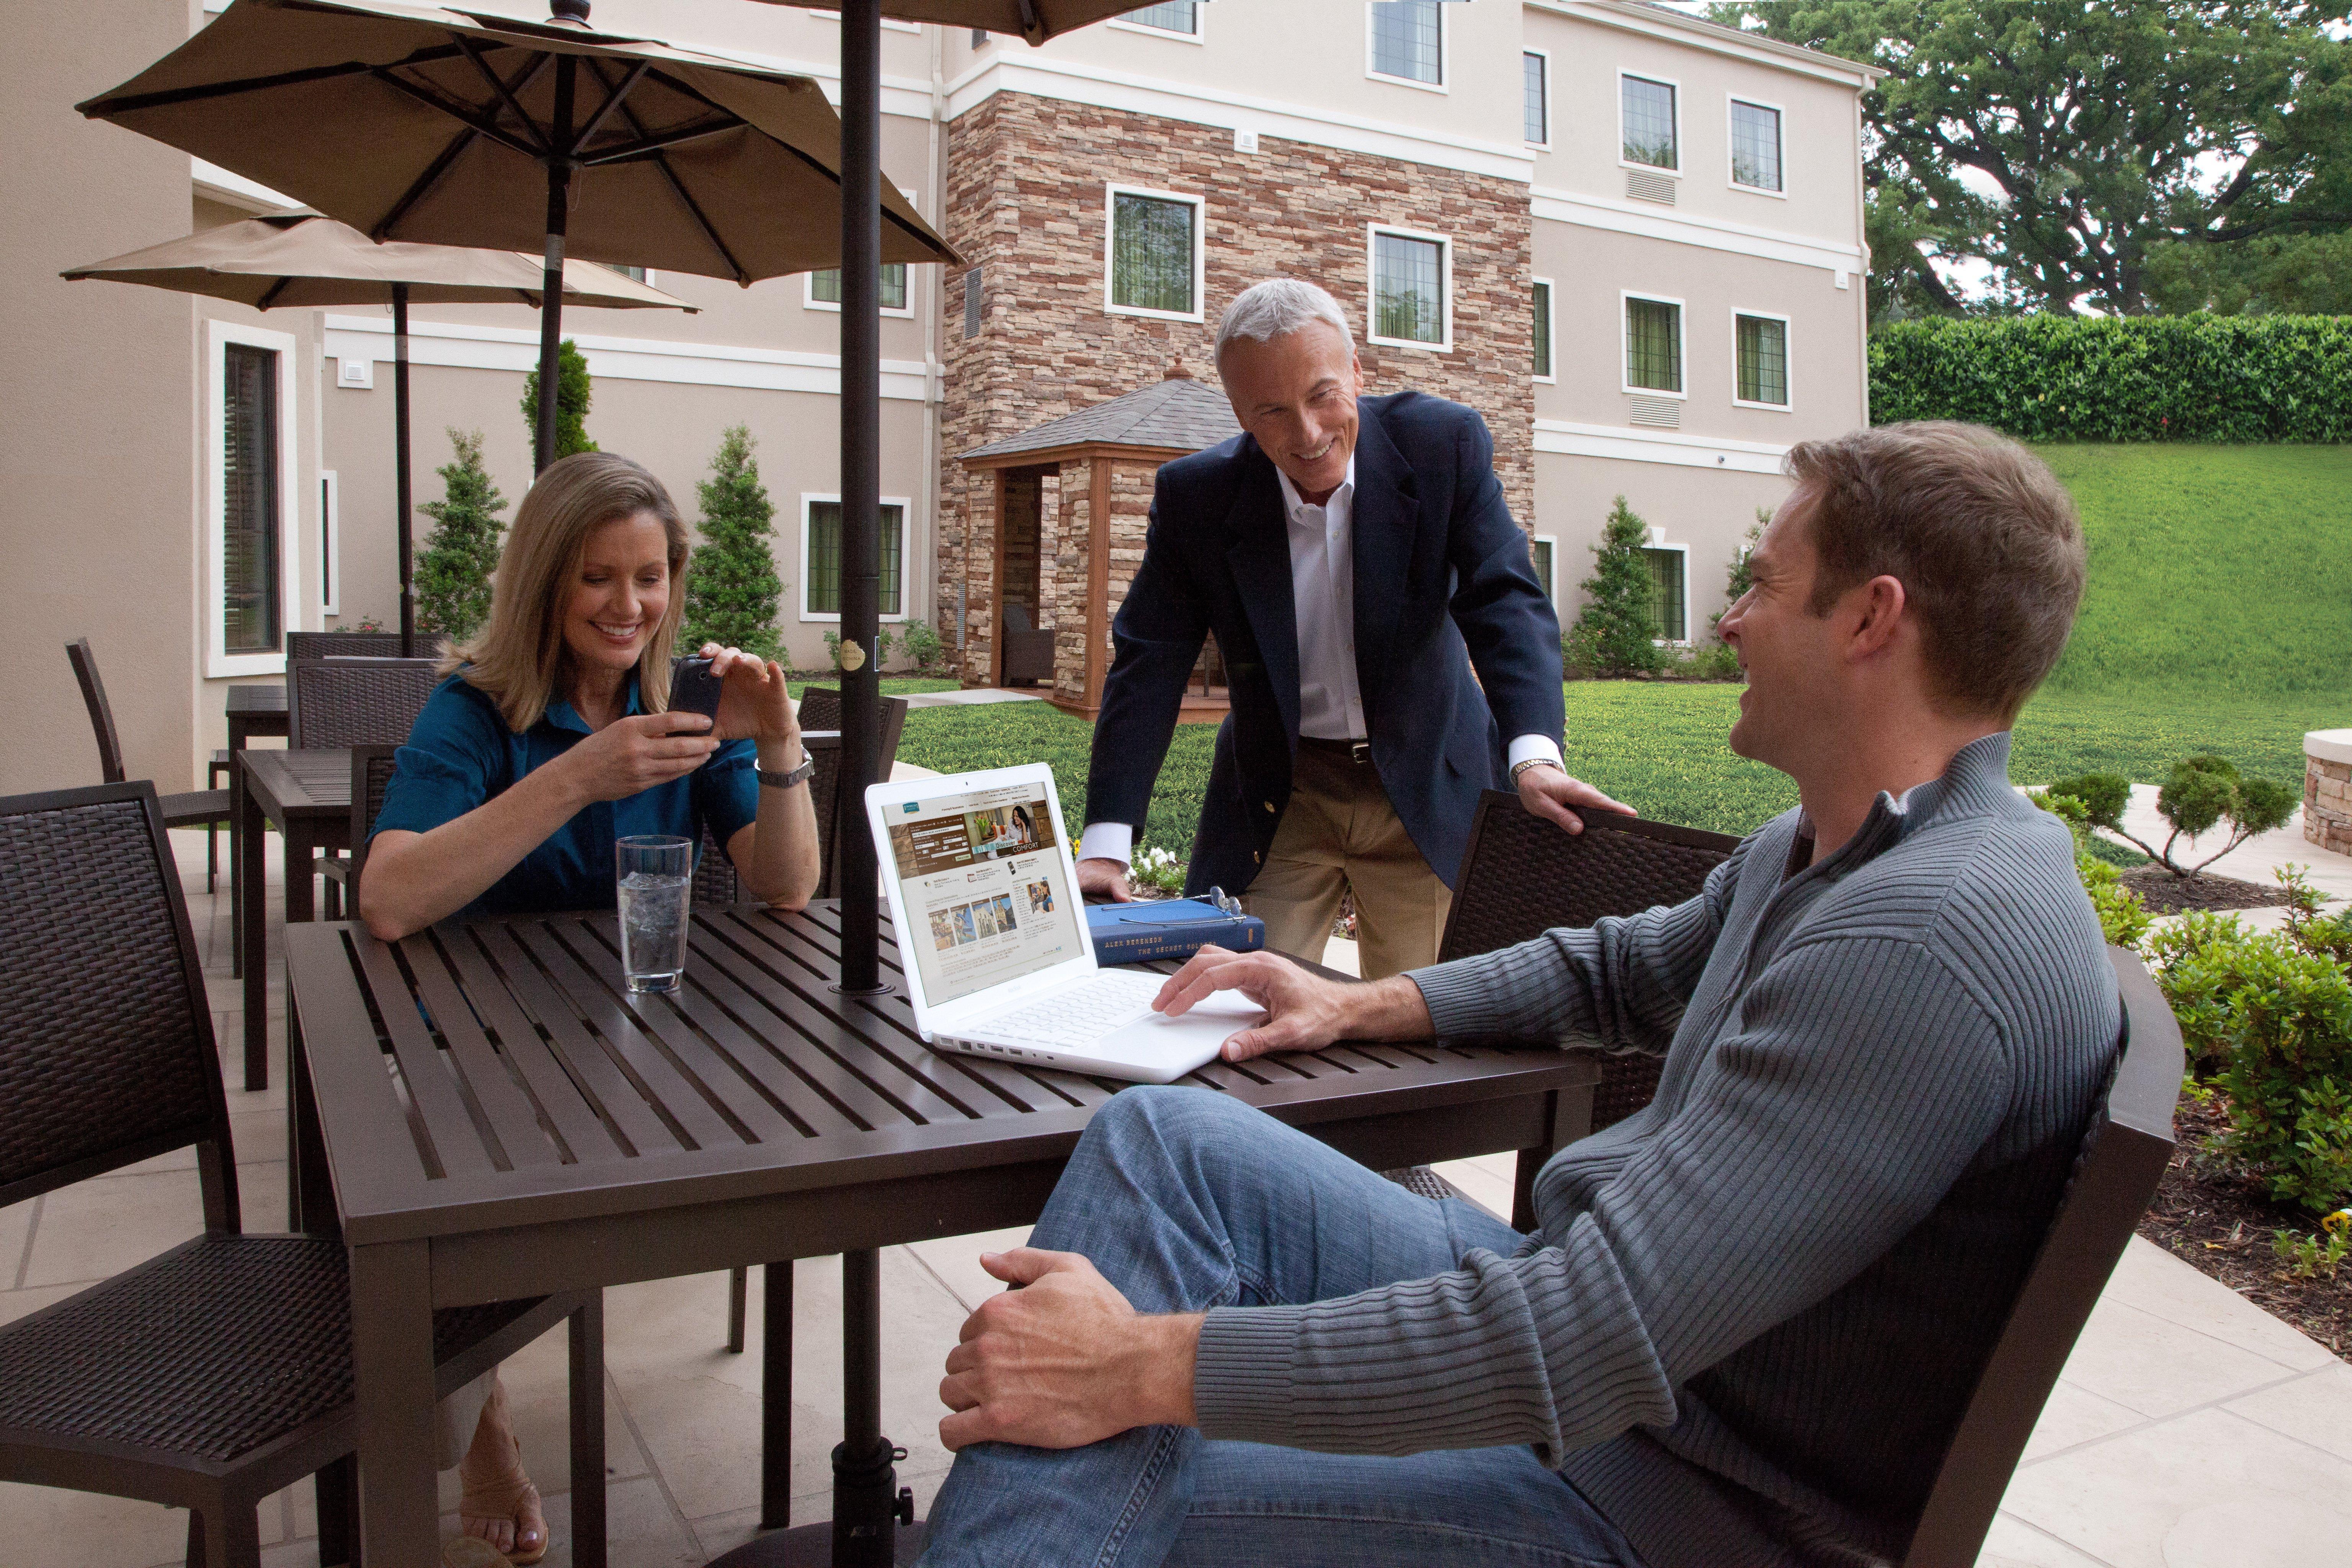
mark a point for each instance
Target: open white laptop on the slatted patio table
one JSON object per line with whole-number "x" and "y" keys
{"x": 994, "y": 939}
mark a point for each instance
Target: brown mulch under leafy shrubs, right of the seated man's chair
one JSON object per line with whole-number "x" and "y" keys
{"x": 2224, "y": 1224}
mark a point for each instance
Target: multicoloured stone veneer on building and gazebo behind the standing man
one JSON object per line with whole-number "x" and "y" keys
{"x": 1027, "y": 203}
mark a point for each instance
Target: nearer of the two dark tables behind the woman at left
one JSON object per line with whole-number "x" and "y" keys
{"x": 307, "y": 796}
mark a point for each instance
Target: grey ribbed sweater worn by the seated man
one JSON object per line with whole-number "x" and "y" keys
{"x": 1751, "y": 1313}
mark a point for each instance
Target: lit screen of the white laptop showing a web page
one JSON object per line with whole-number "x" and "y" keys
{"x": 982, "y": 887}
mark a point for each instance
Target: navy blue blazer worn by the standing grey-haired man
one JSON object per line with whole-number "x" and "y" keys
{"x": 1443, "y": 584}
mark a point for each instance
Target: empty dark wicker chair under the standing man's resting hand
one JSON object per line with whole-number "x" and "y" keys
{"x": 1525, "y": 876}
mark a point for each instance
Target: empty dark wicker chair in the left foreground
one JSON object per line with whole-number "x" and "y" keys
{"x": 218, "y": 1372}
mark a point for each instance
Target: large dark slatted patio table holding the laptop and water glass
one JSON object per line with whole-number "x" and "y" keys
{"x": 544, "y": 1130}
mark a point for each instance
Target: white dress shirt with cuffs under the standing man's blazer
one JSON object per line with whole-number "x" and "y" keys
{"x": 1323, "y": 603}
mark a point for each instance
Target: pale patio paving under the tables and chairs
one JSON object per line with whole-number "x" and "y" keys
{"x": 2193, "y": 1430}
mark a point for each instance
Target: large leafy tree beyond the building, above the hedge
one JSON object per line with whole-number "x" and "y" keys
{"x": 2102, "y": 130}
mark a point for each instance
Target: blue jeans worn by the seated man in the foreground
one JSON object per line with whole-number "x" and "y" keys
{"x": 1187, "y": 1200}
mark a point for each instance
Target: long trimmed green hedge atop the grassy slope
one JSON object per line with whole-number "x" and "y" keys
{"x": 2106, "y": 380}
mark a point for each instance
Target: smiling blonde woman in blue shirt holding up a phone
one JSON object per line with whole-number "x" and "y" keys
{"x": 549, "y": 739}
